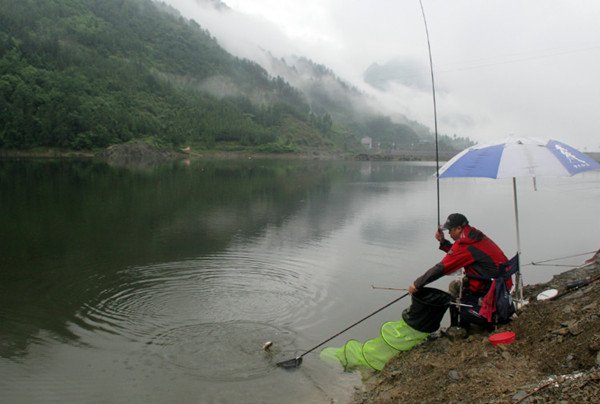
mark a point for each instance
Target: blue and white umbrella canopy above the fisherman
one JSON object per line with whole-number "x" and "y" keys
{"x": 518, "y": 157}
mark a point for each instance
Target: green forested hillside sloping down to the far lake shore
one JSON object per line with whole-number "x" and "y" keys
{"x": 84, "y": 74}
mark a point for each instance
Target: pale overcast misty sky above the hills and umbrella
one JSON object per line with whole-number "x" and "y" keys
{"x": 501, "y": 67}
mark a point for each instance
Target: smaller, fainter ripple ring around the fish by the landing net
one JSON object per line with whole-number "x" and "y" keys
{"x": 227, "y": 351}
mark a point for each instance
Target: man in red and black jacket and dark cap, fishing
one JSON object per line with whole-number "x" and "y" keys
{"x": 479, "y": 256}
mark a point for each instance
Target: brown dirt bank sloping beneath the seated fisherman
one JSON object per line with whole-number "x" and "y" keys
{"x": 556, "y": 356}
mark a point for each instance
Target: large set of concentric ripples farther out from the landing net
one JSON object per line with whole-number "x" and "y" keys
{"x": 244, "y": 285}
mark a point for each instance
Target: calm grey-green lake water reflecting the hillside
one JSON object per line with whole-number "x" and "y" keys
{"x": 162, "y": 284}
